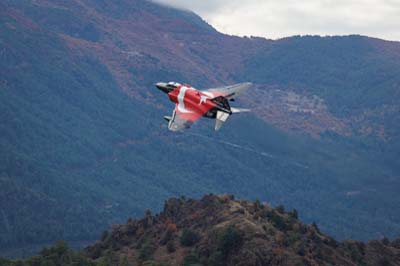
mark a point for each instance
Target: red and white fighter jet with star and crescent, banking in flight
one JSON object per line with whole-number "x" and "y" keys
{"x": 192, "y": 104}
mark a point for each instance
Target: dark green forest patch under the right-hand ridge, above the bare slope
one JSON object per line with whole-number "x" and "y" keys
{"x": 335, "y": 68}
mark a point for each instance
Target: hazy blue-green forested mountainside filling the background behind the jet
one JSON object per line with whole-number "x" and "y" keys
{"x": 77, "y": 154}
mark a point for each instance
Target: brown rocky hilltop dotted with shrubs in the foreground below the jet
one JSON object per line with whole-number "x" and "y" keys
{"x": 219, "y": 230}
